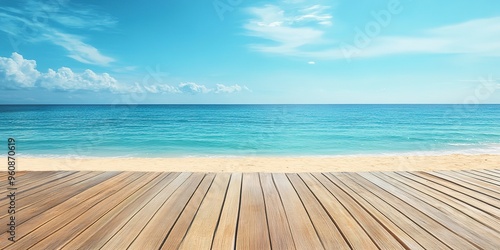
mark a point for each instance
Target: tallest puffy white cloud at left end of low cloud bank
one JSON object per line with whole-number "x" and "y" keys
{"x": 17, "y": 71}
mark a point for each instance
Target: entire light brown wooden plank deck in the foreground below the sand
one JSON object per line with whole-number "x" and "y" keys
{"x": 135, "y": 210}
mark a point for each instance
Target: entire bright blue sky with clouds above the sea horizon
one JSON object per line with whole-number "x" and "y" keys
{"x": 238, "y": 51}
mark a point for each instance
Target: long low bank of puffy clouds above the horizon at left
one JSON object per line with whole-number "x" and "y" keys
{"x": 16, "y": 72}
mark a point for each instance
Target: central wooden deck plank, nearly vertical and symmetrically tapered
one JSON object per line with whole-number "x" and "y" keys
{"x": 253, "y": 232}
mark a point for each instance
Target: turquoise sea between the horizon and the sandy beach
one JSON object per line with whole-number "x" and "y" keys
{"x": 250, "y": 130}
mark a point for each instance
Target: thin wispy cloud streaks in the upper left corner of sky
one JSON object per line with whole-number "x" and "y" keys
{"x": 57, "y": 22}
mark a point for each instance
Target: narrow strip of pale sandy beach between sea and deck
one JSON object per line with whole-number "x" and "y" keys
{"x": 266, "y": 164}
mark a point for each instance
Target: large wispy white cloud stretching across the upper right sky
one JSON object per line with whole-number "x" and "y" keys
{"x": 297, "y": 29}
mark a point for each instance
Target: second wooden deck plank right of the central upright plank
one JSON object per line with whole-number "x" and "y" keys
{"x": 303, "y": 231}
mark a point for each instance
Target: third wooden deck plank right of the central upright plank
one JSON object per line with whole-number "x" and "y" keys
{"x": 327, "y": 231}
